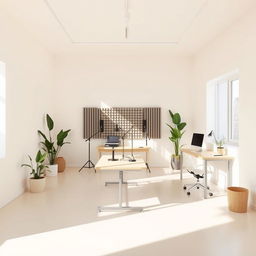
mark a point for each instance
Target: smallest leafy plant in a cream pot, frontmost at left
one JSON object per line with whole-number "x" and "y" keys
{"x": 37, "y": 179}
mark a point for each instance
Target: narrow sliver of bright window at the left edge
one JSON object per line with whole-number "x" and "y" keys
{"x": 2, "y": 109}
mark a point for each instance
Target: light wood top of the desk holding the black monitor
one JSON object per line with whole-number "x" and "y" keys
{"x": 207, "y": 155}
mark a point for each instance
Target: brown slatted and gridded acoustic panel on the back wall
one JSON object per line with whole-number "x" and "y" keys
{"x": 123, "y": 118}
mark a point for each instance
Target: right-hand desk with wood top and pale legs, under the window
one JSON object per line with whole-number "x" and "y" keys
{"x": 207, "y": 156}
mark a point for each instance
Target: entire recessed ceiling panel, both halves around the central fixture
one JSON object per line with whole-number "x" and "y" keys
{"x": 106, "y": 20}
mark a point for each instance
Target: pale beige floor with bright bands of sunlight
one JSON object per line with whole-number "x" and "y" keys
{"x": 64, "y": 219}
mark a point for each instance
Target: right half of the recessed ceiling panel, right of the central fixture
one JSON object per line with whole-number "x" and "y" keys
{"x": 161, "y": 20}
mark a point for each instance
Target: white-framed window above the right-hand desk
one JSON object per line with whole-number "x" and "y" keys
{"x": 223, "y": 108}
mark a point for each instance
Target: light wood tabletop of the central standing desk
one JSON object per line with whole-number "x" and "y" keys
{"x": 120, "y": 165}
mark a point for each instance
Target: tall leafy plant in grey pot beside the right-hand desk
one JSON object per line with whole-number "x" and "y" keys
{"x": 176, "y": 134}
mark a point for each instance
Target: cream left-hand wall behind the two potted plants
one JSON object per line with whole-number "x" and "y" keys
{"x": 28, "y": 94}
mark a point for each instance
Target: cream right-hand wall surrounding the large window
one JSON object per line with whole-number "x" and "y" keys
{"x": 234, "y": 49}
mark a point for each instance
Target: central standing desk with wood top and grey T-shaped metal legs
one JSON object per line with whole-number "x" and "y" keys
{"x": 120, "y": 166}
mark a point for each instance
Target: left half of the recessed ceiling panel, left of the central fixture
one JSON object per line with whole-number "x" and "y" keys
{"x": 90, "y": 20}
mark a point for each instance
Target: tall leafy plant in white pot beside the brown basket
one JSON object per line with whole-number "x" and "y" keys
{"x": 50, "y": 147}
